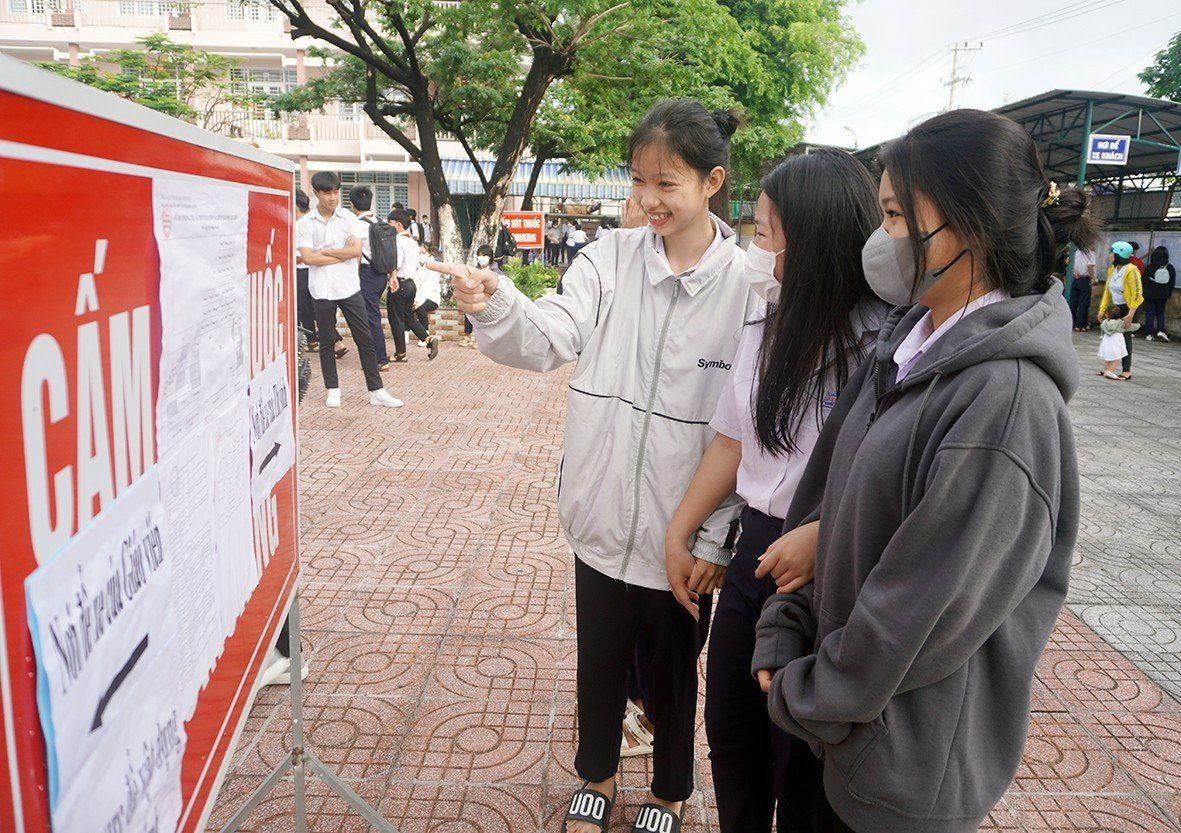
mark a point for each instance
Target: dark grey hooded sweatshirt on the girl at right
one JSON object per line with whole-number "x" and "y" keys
{"x": 949, "y": 509}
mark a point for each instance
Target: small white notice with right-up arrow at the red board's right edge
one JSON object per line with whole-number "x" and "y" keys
{"x": 272, "y": 435}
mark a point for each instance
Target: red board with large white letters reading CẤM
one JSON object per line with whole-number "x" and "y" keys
{"x": 79, "y": 167}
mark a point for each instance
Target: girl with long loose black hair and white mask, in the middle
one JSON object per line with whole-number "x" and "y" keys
{"x": 820, "y": 320}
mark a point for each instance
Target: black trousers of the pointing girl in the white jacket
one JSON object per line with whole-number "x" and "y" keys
{"x": 616, "y": 623}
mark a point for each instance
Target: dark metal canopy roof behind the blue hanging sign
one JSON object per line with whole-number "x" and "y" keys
{"x": 1062, "y": 121}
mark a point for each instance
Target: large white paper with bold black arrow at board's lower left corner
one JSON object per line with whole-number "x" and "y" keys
{"x": 108, "y": 682}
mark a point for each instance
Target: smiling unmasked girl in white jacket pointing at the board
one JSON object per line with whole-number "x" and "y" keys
{"x": 651, "y": 317}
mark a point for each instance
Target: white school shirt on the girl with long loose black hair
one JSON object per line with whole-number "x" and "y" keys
{"x": 767, "y": 483}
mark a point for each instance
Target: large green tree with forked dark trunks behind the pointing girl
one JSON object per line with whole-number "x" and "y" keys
{"x": 566, "y": 79}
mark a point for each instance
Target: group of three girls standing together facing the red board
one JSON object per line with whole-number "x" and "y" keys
{"x": 873, "y": 399}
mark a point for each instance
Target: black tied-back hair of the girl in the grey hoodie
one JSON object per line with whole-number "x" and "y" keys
{"x": 984, "y": 177}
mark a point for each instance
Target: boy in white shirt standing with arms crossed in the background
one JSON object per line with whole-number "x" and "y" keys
{"x": 329, "y": 242}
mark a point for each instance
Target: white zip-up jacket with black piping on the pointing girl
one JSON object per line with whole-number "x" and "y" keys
{"x": 654, "y": 353}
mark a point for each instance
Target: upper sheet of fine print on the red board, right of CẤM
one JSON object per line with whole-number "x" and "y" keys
{"x": 201, "y": 236}
